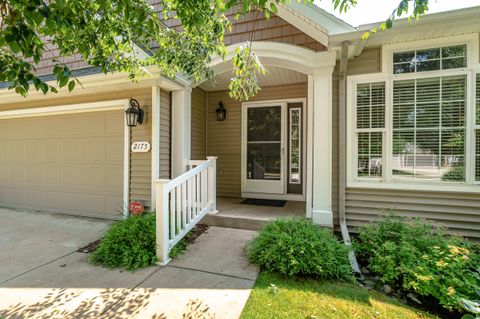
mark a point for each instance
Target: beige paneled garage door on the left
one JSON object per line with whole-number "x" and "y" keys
{"x": 69, "y": 163}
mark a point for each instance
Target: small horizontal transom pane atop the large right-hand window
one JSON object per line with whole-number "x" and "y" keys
{"x": 444, "y": 58}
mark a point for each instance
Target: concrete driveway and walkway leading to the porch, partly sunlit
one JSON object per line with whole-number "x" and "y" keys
{"x": 42, "y": 275}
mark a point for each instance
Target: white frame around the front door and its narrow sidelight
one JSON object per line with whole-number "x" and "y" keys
{"x": 284, "y": 180}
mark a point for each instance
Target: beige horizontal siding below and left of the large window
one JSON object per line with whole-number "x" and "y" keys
{"x": 460, "y": 212}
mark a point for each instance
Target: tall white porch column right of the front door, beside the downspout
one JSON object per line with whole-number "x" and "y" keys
{"x": 322, "y": 146}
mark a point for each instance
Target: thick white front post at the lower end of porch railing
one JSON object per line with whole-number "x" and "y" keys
{"x": 162, "y": 231}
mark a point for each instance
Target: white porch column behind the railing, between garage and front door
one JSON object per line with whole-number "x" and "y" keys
{"x": 181, "y": 114}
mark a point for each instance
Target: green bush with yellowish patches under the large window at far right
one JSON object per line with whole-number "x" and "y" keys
{"x": 415, "y": 256}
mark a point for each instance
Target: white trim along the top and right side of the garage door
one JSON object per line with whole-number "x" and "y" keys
{"x": 84, "y": 108}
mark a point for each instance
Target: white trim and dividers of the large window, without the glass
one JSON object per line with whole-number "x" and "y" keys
{"x": 387, "y": 76}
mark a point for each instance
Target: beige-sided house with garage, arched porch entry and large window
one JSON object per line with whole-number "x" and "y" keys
{"x": 346, "y": 127}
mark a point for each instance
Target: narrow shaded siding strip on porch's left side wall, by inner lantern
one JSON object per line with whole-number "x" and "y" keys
{"x": 198, "y": 129}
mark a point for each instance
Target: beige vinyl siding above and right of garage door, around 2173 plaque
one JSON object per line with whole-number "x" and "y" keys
{"x": 140, "y": 163}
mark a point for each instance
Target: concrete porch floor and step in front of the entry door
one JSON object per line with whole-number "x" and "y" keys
{"x": 233, "y": 214}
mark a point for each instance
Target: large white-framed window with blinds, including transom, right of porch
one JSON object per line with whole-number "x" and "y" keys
{"x": 417, "y": 123}
